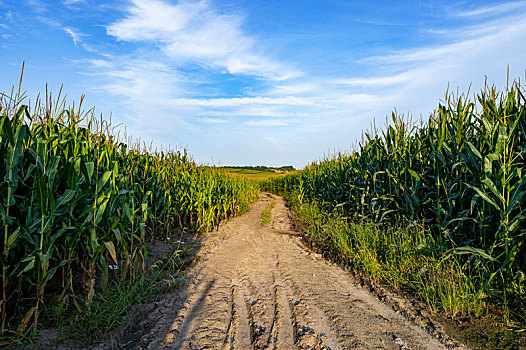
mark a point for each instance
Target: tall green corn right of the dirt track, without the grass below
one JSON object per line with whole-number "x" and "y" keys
{"x": 462, "y": 172}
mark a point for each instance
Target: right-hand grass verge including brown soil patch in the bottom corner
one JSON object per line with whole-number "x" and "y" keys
{"x": 408, "y": 260}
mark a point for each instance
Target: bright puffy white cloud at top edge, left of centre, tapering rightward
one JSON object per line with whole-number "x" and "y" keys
{"x": 195, "y": 32}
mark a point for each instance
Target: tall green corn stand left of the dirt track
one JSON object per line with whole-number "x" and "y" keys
{"x": 76, "y": 202}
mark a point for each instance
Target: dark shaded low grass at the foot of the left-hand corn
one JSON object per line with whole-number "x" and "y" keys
{"x": 88, "y": 323}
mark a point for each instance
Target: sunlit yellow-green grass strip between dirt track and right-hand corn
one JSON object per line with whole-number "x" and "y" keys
{"x": 405, "y": 257}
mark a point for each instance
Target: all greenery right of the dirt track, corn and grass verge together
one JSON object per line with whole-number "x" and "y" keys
{"x": 437, "y": 209}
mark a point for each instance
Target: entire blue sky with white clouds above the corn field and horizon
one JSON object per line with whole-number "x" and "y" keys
{"x": 251, "y": 82}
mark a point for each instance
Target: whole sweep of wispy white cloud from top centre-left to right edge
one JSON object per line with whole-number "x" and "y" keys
{"x": 177, "y": 89}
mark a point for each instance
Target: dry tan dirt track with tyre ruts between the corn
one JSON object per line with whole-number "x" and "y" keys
{"x": 257, "y": 287}
